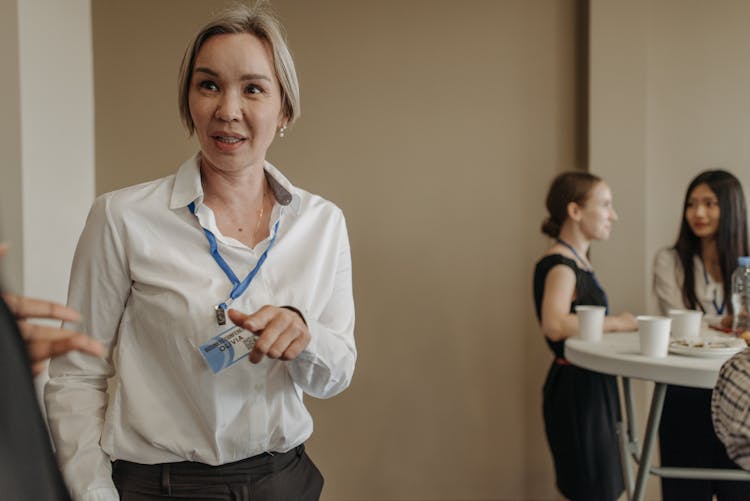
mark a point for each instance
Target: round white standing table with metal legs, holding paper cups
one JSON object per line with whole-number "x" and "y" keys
{"x": 618, "y": 354}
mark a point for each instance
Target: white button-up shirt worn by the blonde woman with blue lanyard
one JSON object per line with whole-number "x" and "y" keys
{"x": 146, "y": 286}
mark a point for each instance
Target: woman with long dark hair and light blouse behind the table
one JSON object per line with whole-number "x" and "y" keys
{"x": 695, "y": 273}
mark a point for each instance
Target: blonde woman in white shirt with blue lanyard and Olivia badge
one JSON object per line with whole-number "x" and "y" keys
{"x": 162, "y": 271}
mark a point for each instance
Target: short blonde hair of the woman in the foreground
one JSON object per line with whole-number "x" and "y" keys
{"x": 257, "y": 20}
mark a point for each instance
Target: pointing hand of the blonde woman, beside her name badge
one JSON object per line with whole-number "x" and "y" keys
{"x": 282, "y": 333}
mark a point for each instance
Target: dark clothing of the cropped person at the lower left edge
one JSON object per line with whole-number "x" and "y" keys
{"x": 27, "y": 465}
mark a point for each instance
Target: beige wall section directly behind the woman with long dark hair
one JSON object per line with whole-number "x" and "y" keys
{"x": 698, "y": 103}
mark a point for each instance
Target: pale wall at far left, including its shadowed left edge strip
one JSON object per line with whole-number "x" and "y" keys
{"x": 45, "y": 141}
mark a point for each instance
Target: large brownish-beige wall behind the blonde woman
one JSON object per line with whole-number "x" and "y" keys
{"x": 436, "y": 126}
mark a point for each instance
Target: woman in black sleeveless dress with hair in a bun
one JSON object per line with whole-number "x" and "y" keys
{"x": 581, "y": 407}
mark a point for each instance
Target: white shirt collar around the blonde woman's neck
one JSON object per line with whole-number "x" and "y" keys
{"x": 187, "y": 186}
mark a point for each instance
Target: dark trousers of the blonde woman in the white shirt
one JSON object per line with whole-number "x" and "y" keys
{"x": 267, "y": 477}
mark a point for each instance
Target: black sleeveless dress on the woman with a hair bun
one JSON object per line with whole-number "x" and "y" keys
{"x": 581, "y": 407}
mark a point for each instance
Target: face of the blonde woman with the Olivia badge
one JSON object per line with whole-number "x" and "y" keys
{"x": 235, "y": 101}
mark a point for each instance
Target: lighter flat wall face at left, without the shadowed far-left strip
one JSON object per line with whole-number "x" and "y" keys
{"x": 57, "y": 138}
